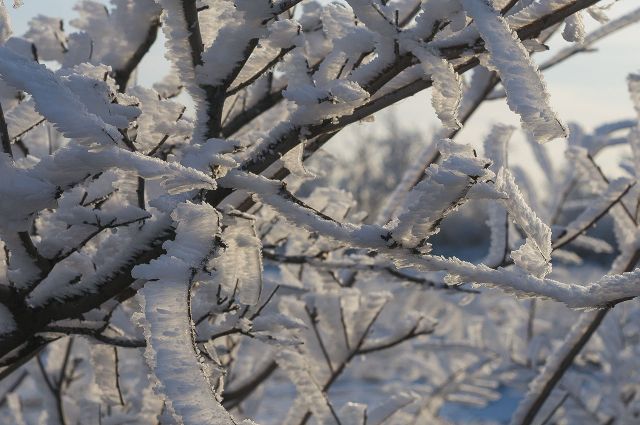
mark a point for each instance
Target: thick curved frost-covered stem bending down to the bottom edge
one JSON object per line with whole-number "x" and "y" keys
{"x": 171, "y": 351}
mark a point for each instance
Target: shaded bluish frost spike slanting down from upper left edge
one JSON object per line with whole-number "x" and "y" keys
{"x": 54, "y": 99}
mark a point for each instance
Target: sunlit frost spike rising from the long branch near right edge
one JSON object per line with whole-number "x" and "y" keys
{"x": 535, "y": 255}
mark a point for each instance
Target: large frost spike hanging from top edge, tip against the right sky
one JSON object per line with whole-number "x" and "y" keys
{"x": 526, "y": 92}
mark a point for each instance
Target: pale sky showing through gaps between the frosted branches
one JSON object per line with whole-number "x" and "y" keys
{"x": 589, "y": 88}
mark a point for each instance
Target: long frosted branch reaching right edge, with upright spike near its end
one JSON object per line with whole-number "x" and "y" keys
{"x": 609, "y": 289}
